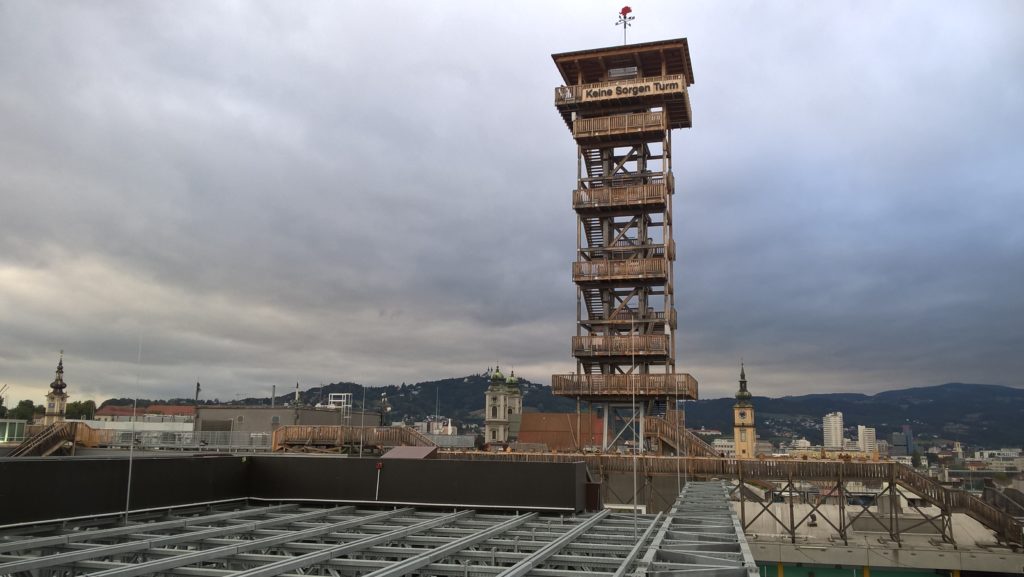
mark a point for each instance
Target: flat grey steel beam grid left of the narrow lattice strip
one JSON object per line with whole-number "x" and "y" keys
{"x": 287, "y": 540}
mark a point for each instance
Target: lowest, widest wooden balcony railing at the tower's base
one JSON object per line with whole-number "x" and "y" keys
{"x": 623, "y": 387}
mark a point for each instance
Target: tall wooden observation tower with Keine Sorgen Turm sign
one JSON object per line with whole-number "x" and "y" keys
{"x": 621, "y": 105}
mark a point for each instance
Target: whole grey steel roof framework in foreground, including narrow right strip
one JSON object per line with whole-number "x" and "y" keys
{"x": 699, "y": 537}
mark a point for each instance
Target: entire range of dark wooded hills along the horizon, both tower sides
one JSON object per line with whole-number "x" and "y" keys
{"x": 979, "y": 416}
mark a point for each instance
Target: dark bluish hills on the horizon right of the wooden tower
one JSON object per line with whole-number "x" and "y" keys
{"x": 983, "y": 416}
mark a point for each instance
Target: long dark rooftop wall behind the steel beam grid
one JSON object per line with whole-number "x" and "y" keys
{"x": 33, "y": 490}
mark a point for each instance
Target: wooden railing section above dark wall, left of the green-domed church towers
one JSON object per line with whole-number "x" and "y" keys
{"x": 298, "y": 437}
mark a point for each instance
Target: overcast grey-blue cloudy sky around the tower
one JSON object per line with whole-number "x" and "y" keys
{"x": 381, "y": 192}
